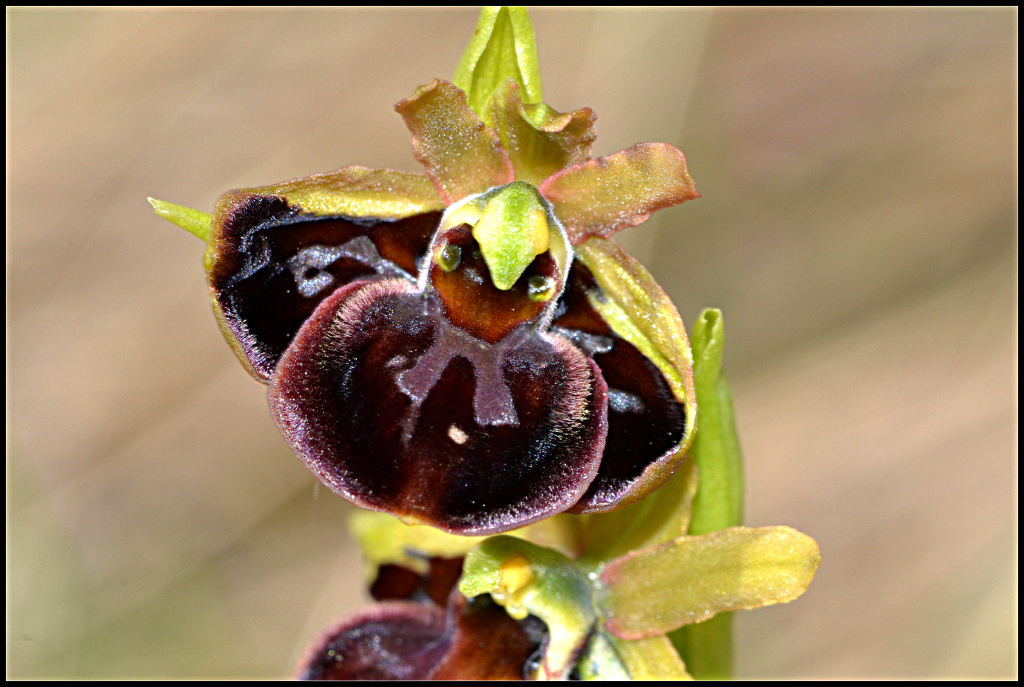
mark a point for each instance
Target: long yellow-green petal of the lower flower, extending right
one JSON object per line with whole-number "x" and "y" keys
{"x": 692, "y": 579}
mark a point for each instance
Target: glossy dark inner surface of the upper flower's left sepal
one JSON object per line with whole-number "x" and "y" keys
{"x": 275, "y": 266}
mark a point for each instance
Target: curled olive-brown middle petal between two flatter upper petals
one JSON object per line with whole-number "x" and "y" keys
{"x": 539, "y": 140}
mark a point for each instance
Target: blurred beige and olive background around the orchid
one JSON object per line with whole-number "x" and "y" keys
{"x": 859, "y": 229}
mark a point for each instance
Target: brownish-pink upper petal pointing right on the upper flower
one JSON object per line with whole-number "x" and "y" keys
{"x": 604, "y": 196}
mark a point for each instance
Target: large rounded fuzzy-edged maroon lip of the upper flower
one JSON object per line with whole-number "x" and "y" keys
{"x": 399, "y": 411}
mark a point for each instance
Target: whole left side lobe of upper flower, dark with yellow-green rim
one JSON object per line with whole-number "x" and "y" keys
{"x": 276, "y": 252}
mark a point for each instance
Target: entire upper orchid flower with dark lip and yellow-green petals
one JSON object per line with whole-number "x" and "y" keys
{"x": 434, "y": 350}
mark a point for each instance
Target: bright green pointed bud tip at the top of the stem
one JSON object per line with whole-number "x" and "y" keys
{"x": 503, "y": 47}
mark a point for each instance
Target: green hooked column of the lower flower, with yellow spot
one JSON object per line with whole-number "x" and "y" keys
{"x": 529, "y": 580}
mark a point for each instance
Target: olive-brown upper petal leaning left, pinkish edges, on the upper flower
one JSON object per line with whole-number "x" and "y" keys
{"x": 462, "y": 156}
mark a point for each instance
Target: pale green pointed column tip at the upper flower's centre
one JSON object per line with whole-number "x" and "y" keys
{"x": 513, "y": 232}
